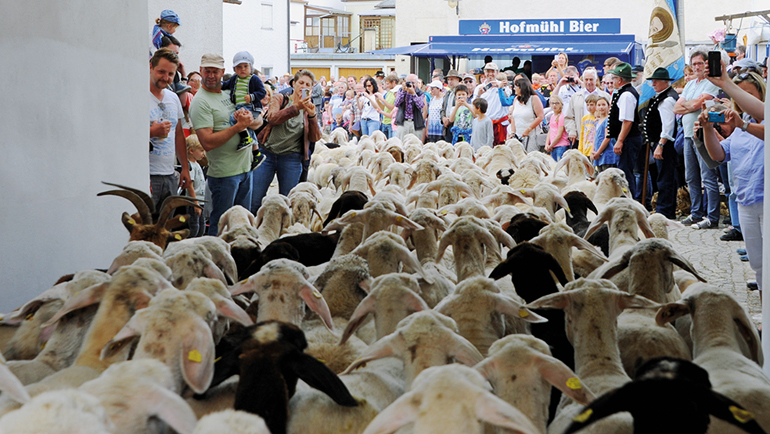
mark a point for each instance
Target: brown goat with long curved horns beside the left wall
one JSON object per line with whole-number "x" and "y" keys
{"x": 146, "y": 224}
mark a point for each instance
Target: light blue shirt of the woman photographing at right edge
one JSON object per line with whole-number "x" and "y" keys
{"x": 747, "y": 154}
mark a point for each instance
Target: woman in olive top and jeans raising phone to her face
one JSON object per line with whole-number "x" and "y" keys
{"x": 288, "y": 140}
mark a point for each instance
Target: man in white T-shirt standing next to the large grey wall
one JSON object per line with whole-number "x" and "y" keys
{"x": 167, "y": 140}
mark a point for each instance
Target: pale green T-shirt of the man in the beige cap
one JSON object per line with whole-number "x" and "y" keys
{"x": 213, "y": 110}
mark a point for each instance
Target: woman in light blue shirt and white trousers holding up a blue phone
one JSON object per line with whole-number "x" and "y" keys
{"x": 729, "y": 136}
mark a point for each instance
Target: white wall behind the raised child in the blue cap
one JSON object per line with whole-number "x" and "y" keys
{"x": 201, "y": 29}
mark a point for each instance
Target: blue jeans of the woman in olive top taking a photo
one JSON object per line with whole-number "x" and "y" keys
{"x": 288, "y": 168}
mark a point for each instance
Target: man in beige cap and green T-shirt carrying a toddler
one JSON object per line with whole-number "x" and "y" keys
{"x": 229, "y": 175}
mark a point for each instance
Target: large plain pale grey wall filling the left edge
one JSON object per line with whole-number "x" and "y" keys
{"x": 72, "y": 115}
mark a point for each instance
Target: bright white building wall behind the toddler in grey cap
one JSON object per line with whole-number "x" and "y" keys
{"x": 243, "y": 31}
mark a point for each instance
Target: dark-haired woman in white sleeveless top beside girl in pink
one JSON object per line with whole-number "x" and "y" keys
{"x": 527, "y": 112}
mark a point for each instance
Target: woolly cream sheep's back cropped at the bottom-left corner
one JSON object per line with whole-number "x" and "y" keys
{"x": 61, "y": 411}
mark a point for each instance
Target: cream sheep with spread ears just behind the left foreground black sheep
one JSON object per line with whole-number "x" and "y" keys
{"x": 282, "y": 287}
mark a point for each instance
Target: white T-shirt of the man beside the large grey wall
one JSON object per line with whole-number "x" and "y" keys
{"x": 163, "y": 154}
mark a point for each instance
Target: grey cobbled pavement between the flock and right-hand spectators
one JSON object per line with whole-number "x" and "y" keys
{"x": 718, "y": 263}
